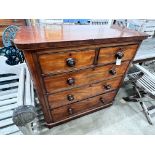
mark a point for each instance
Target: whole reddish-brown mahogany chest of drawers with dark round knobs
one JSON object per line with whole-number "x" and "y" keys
{"x": 76, "y": 69}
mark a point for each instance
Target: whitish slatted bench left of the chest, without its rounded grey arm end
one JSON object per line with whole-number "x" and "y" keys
{"x": 16, "y": 90}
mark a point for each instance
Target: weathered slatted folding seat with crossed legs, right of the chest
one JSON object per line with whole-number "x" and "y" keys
{"x": 144, "y": 83}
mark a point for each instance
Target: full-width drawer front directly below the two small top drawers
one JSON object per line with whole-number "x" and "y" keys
{"x": 68, "y": 80}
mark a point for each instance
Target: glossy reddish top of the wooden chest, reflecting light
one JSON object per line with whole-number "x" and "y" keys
{"x": 37, "y": 36}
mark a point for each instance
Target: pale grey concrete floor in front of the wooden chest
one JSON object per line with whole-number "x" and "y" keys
{"x": 119, "y": 119}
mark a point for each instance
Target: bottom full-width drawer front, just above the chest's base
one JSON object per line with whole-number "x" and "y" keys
{"x": 83, "y": 106}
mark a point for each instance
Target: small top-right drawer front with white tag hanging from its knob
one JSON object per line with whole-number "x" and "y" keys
{"x": 109, "y": 55}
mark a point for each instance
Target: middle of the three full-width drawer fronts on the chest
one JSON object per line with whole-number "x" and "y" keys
{"x": 76, "y": 94}
